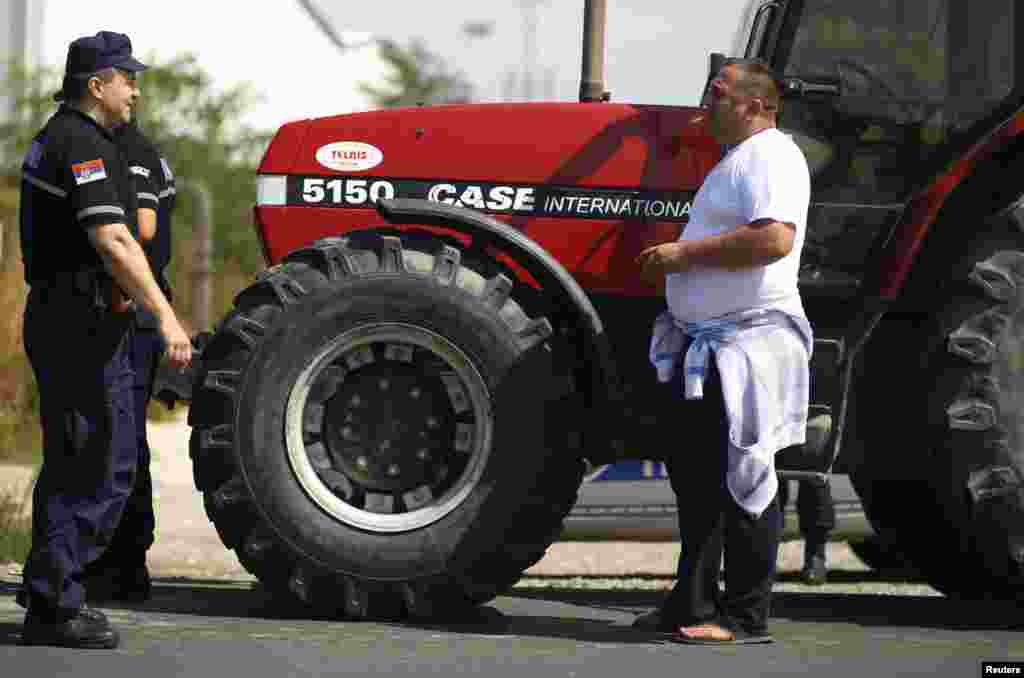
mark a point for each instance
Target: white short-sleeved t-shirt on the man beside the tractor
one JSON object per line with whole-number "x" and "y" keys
{"x": 764, "y": 178}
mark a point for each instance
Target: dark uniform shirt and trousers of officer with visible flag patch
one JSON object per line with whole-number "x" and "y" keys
{"x": 74, "y": 179}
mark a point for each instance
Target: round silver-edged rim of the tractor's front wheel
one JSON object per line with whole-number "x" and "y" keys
{"x": 389, "y": 429}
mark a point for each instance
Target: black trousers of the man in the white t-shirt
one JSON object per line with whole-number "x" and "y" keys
{"x": 711, "y": 524}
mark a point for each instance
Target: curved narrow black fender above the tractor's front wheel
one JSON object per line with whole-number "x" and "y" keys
{"x": 538, "y": 263}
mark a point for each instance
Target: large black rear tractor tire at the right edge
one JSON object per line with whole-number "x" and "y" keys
{"x": 944, "y": 471}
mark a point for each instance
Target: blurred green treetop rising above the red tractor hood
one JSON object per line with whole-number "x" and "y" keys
{"x": 418, "y": 77}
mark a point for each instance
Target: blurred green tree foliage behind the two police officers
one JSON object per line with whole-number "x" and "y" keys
{"x": 199, "y": 131}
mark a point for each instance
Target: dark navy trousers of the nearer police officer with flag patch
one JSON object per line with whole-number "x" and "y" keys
{"x": 83, "y": 367}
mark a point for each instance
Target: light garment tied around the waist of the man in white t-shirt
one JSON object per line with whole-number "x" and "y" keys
{"x": 763, "y": 360}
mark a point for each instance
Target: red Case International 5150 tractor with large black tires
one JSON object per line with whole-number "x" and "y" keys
{"x": 396, "y": 417}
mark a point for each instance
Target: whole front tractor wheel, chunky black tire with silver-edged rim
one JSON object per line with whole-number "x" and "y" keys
{"x": 373, "y": 432}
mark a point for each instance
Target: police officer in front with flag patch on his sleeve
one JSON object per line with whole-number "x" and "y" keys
{"x": 84, "y": 268}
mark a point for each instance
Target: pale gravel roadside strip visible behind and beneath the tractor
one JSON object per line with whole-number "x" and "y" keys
{"x": 188, "y": 546}
